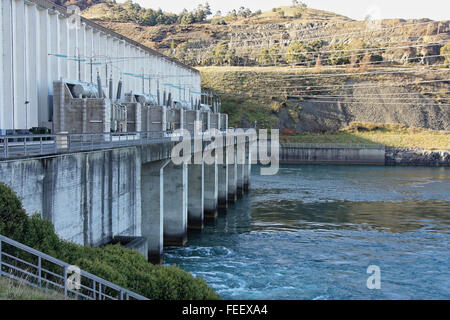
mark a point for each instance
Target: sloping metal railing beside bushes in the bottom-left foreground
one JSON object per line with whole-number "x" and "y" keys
{"x": 37, "y": 269}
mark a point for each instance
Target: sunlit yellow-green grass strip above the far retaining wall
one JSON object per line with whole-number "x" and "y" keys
{"x": 392, "y": 135}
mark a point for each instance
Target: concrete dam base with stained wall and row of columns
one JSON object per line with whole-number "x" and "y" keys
{"x": 135, "y": 191}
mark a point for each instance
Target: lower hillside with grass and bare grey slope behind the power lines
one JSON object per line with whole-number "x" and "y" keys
{"x": 294, "y": 98}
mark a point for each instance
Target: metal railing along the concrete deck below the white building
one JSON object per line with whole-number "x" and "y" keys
{"x": 14, "y": 146}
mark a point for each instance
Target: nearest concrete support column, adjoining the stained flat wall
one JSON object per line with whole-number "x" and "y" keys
{"x": 152, "y": 200}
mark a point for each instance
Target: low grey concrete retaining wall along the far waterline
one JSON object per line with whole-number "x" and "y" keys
{"x": 298, "y": 153}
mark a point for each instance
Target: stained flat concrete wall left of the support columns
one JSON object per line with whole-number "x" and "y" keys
{"x": 89, "y": 197}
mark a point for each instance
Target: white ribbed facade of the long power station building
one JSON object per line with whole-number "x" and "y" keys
{"x": 41, "y": 43}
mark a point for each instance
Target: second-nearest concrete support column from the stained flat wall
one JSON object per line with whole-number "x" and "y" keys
{"x": 175, "y": 205}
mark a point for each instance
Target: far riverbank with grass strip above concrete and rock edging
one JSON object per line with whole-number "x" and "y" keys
{"x": 369, "y": 143}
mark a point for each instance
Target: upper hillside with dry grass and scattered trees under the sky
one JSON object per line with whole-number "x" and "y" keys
{"x": 245, "y": 38}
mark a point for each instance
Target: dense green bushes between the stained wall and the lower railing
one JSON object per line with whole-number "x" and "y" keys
{"x": 124, "y": 267}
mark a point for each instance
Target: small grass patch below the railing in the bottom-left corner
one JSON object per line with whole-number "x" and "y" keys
{"x": 16, "y": 290}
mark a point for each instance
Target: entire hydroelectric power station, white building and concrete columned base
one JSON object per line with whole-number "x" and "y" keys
{"x": 88, "y": 119}
